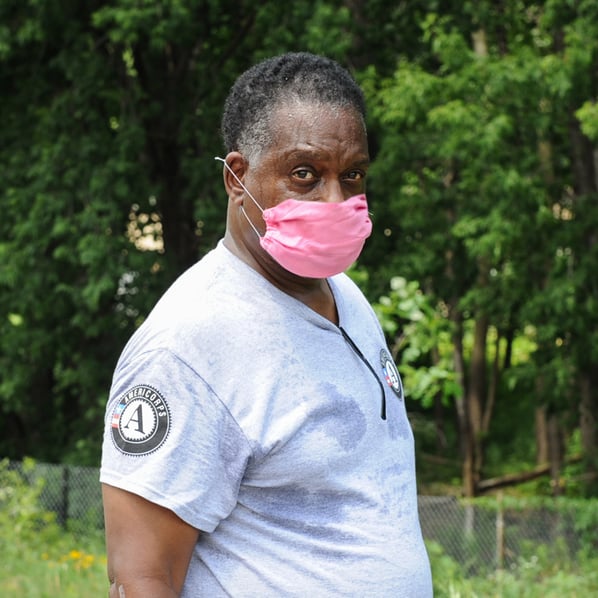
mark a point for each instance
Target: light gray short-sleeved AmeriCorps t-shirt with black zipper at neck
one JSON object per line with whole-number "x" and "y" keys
{"x": 256, "y": 421}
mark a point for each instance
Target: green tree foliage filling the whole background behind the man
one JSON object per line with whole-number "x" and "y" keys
{"x": 483, "y": 127}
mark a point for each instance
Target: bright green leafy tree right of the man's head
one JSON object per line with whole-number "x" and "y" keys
{"x": 479, "y": 170}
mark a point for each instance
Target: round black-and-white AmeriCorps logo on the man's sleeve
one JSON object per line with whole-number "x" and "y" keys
{"x": 140, "y": 421}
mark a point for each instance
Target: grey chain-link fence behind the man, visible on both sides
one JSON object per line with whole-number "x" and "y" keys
{"x": 479, "y": 536}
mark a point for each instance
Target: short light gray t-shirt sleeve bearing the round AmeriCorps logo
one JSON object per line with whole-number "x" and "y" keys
{"x": 169, "y": 439}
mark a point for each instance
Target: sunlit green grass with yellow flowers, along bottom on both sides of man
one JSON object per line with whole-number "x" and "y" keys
{"x": 60, "y": 565}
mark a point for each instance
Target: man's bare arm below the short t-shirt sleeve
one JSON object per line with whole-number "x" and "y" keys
{"x": 148, "y": 546}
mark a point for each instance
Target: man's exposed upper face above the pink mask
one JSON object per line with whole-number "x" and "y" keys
{"x": 319, "y": 153}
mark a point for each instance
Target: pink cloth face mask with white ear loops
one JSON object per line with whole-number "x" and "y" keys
{"x": 311, "y": 238}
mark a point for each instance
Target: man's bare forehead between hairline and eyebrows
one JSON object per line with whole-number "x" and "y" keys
{"x": 321, "y": 129}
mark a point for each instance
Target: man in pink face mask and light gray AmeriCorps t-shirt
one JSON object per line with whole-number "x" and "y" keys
{"x": 256, "y": 437}
